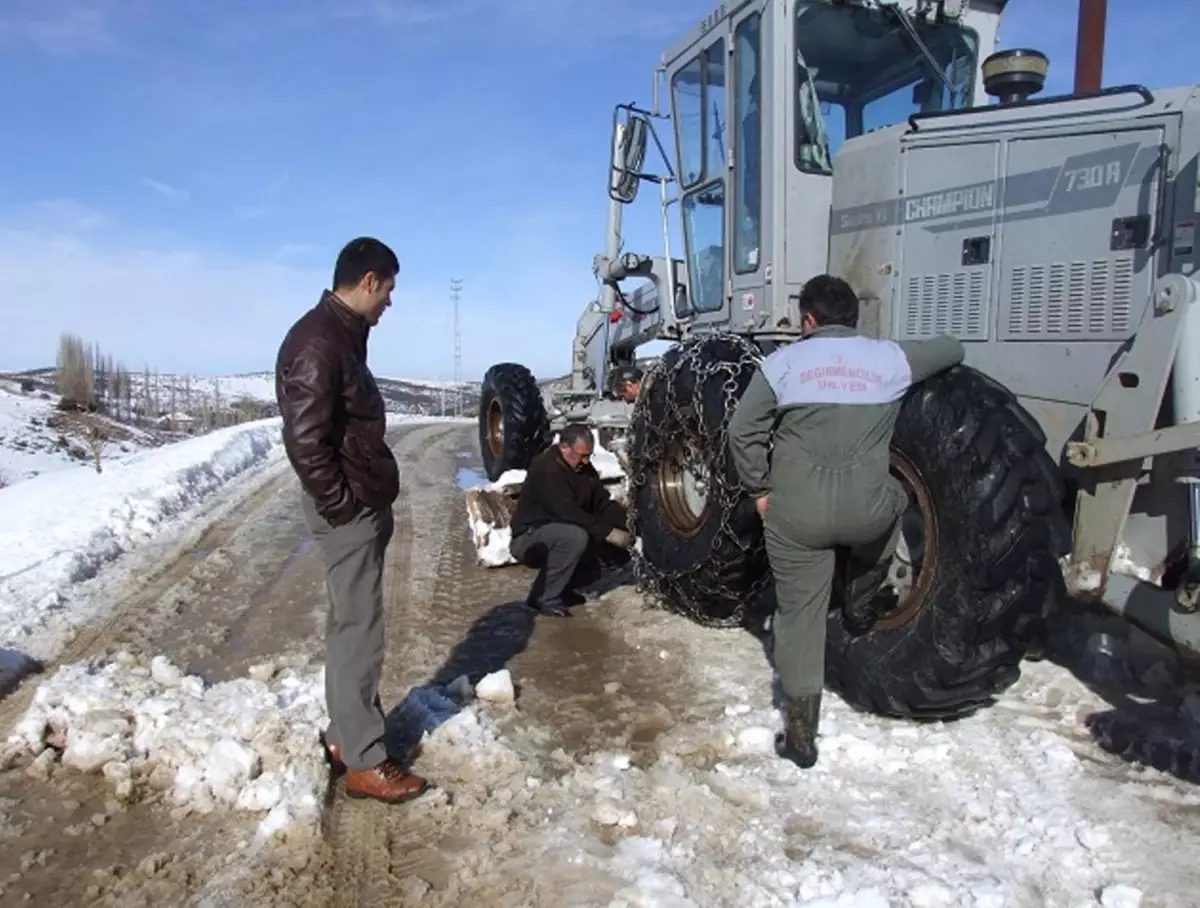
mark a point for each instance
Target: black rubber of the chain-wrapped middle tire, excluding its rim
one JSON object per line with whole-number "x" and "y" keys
{"x": 717, "y": 576}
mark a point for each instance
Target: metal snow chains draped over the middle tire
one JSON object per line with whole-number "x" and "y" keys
{"x": 685, "y": 425}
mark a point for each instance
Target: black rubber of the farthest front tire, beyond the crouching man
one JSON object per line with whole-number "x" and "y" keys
{"x": 526, "y": 423}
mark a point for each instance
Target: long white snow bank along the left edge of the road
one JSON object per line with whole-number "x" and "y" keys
{"x": 61, "y": 528}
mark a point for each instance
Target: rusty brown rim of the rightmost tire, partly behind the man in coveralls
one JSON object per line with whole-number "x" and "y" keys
{"x": 913, "y": 570}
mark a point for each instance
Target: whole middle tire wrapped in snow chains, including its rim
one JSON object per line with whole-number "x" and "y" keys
{"x": 703, "y": 545}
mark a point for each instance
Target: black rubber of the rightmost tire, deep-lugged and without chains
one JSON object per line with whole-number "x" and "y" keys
{"x": 1001, "y": 531}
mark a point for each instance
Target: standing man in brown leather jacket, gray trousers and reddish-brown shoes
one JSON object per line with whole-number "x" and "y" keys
{"x": 334, "y": 424}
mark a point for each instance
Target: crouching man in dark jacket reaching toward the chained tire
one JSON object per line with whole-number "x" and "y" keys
{"x": 563, "y": 514}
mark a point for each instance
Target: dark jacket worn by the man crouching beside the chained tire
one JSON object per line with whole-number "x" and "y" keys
{"x": 555, "y": 494}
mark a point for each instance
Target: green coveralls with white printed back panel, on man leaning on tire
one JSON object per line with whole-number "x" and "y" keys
{"x": 813, "y": 430}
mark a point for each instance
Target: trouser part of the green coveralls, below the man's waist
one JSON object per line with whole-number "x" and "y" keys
{"x": 802, "y": 527}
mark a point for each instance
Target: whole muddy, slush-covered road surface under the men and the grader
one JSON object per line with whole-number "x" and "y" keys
{"x": 633, "y": 768}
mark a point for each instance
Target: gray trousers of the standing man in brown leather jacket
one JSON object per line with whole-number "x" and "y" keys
{"x": 355, "y": 557}
